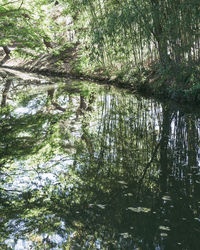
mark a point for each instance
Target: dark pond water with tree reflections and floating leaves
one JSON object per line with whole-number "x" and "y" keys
{"x": 84, "y": 166}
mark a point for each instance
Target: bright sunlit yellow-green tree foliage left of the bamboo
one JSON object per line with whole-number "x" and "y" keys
{"x": 29, "y": 26}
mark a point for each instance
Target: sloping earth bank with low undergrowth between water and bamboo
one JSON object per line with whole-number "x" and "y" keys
{"x": 177, "y": 84}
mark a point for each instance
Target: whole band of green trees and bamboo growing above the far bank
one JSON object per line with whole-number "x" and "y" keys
{"x": 134, "y": 41}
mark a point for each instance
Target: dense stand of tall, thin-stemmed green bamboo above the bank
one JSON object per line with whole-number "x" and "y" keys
{"x": 141, "y": 32}
